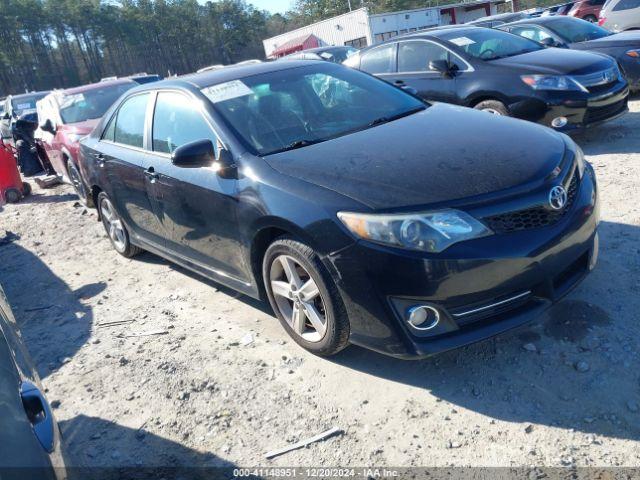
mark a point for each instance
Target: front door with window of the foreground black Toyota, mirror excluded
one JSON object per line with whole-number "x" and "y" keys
{"x": 195, "y": 206}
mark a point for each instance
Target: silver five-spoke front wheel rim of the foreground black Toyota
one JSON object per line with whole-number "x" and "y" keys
{"x": 298, "y": 298}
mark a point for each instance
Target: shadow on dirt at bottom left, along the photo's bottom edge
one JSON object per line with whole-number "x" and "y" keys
{"x": 95, "y": 448}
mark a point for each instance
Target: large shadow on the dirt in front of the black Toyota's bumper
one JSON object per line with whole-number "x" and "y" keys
{"x": 577, "y": 367}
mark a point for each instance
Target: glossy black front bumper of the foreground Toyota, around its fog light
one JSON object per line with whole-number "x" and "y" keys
{"x": 376, "y": 282}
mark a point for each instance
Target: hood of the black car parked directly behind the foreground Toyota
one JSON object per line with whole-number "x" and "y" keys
{"x": 559, "y": 61}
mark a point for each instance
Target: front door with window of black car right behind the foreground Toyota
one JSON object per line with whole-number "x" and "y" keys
{"x": 413, "y": 70}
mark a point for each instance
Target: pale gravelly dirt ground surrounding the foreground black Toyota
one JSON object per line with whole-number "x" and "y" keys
{"x": 563, "y": 391}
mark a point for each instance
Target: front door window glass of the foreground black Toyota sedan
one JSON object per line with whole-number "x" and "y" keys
{"x": 176, "y": 122}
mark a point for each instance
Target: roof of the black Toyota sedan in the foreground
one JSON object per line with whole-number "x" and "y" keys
{"x": 227, "y": 74}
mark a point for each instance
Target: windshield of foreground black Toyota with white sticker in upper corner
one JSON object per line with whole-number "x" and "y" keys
{"x": 296, "y": 107}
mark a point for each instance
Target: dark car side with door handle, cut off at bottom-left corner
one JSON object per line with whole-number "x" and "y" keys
{"x": 29, "y": 434}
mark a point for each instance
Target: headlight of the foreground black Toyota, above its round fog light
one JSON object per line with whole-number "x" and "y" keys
{"x": 428, "y": 232}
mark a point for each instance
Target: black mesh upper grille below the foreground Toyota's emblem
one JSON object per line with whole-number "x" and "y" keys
{"x": 530, "y": 218}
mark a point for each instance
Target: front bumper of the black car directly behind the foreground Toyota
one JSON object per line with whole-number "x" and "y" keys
{"x": 581, "y": 109}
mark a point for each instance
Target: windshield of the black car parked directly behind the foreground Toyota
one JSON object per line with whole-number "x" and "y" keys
{"x": 488, "y": 44}
